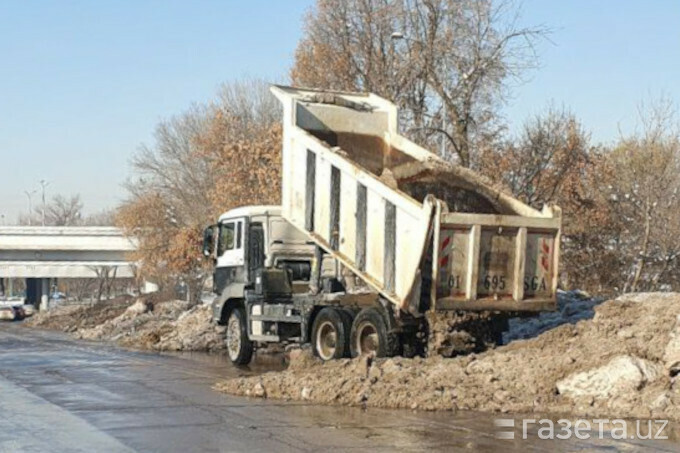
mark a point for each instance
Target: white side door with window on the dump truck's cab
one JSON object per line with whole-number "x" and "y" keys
{"x": 230, "y": 266}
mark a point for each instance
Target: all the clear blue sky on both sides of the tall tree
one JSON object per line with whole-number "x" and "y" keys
{"x": 83, "y": 83}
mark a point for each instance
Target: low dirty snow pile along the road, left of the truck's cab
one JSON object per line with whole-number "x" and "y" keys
{"x": 161, "y": 326}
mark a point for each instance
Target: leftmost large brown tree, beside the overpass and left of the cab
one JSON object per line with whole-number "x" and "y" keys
{"x": 169, "y": 198}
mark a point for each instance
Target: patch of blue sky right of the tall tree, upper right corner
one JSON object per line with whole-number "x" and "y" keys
{"x": 606, "y": 56}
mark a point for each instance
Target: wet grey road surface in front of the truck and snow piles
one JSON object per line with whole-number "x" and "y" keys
{"x": 62, "y": 395}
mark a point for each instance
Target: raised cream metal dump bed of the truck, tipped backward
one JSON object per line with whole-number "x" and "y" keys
{"x": 423, "y": 232}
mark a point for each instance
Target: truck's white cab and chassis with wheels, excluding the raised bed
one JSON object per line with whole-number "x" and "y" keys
{"x": 273, "y": 285}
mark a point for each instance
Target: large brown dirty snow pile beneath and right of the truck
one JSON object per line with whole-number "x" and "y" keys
{"x": 621, "y": 363}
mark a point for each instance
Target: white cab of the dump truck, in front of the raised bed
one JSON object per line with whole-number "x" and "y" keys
{"x": 254, "y": 248}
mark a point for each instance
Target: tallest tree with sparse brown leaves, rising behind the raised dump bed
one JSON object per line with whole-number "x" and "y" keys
{"x": 450, "y": 69}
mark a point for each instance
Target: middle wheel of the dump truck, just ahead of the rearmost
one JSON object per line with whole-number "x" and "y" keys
{"x": 330, "y": 334}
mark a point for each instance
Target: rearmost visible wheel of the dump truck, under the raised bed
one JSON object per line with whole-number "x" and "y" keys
{"x": 370, "y": 335}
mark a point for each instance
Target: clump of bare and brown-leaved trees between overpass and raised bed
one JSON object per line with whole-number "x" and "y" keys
{"x": 203, "y": 162}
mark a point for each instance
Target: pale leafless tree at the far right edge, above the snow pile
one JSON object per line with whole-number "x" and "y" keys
{"x": 645, "y": 200}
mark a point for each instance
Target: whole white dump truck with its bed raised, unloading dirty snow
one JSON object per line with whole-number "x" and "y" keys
{"x": 375, "y": 236}
